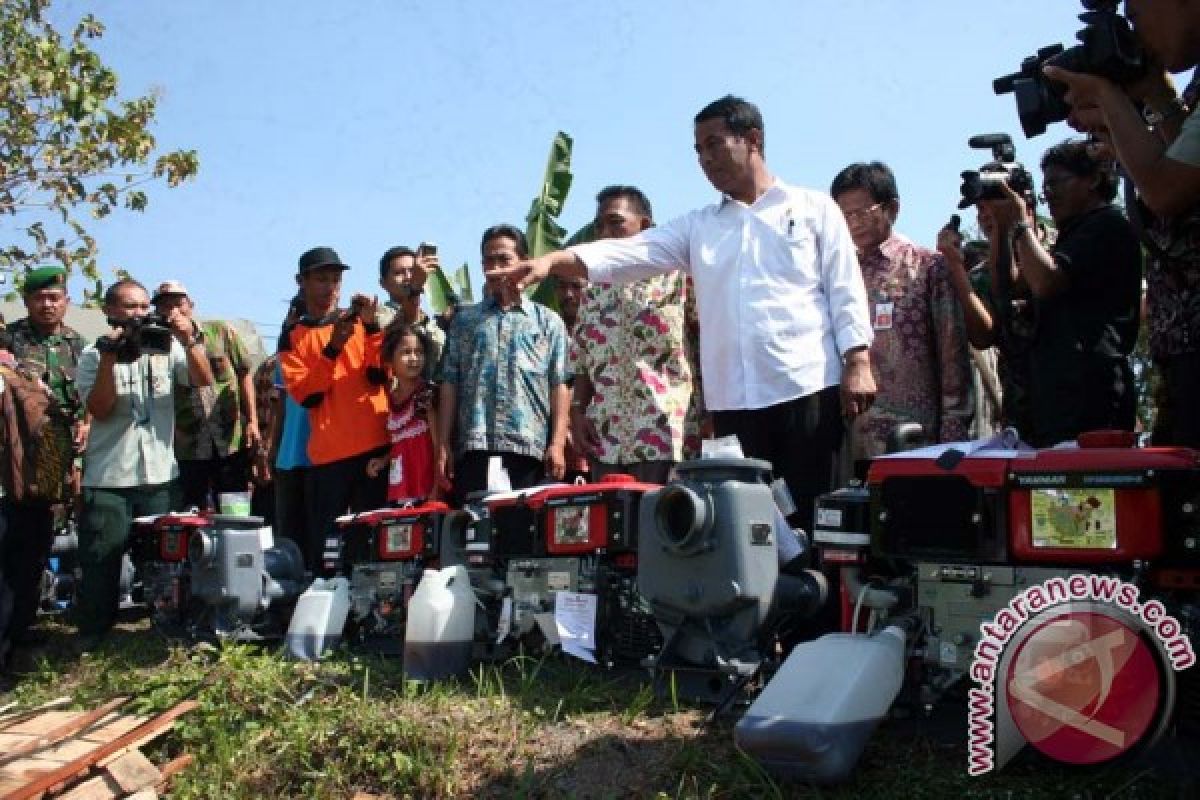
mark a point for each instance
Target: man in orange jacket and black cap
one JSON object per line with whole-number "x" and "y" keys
{"x": 331, "y": 363}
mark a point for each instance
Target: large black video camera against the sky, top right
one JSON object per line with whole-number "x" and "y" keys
{"x": 1108, "y": 49}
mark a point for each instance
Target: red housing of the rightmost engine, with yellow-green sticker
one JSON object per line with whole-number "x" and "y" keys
{"x": 1089, "y": 506}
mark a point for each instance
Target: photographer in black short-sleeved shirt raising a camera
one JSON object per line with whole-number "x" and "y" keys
{"x": 1087, "y": 292}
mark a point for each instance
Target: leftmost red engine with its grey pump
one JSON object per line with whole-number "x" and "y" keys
{"x": 213, "y": 575}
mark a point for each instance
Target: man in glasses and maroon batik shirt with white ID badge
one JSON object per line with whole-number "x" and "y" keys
{"x": 920, "y": 353}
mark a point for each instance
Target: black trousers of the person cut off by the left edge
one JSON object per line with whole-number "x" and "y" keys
{"x": 27, "y": 546}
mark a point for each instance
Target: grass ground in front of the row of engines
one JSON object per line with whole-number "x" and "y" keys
{"x": 268, "y": 727}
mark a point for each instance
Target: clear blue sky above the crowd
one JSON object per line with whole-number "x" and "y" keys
{"x": 368, "y": 124}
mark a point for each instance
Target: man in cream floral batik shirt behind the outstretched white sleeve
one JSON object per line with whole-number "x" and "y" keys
{"x": 637, "y": 406}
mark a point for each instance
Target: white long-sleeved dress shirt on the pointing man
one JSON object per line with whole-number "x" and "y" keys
{"x": 779, "y": 293}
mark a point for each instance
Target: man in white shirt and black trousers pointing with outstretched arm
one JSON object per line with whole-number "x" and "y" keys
{"x": 783, "y": 311}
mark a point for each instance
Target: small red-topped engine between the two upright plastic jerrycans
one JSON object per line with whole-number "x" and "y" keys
{"x": 385, "y": 554}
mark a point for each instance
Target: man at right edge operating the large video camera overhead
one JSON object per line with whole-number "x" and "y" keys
{"x": 1160, "y": 151}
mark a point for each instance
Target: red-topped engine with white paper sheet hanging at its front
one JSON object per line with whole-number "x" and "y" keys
{"x": 525, "y": 548}
